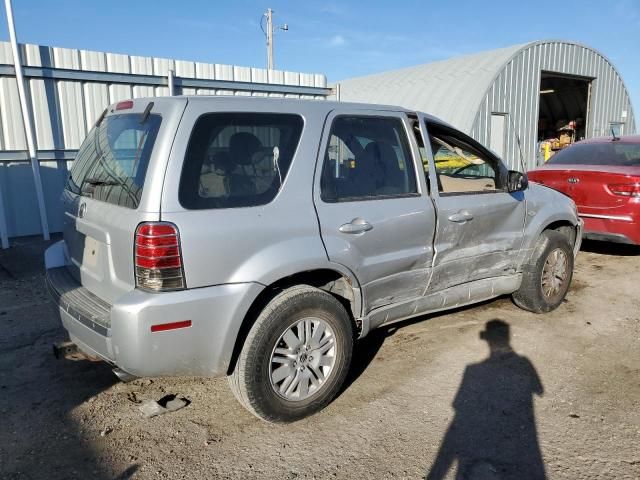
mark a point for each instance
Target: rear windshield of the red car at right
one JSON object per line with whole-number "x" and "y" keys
{"x": 610, "y": 153}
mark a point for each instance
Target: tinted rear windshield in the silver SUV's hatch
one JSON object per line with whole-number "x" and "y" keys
{"x": 112, "y": 162}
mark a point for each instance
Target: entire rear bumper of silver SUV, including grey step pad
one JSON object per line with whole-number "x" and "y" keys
{"x": 125, "y": 338}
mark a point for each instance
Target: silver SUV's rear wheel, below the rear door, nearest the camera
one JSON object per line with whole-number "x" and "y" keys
{"x": 295, "y": 357}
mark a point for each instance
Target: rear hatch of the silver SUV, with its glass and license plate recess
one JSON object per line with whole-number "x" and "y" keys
{"x": 116, "y": 183}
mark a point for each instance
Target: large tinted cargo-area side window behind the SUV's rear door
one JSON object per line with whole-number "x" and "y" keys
{"x": 238, "y": 159}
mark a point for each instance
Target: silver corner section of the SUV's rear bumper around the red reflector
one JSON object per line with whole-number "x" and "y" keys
{"x": 203, "y": 349}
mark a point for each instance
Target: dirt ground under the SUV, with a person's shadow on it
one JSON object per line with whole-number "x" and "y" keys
{"x": 560, "y": 397}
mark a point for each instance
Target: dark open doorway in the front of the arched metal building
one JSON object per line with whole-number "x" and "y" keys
{"x": 564, "y": 111}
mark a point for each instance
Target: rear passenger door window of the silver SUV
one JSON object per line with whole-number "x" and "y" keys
{"x": 367, "y": 158}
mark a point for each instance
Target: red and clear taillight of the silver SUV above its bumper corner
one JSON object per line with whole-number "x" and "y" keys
{"x": 158, "y": 260}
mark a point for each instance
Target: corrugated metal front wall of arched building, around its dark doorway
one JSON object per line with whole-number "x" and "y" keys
{"x": 515, "y": 92}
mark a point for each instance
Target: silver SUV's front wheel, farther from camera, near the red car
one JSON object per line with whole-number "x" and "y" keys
{"x": 547, "y": 276}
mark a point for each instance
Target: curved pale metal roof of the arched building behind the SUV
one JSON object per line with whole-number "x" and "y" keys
{"x": 450, "y": 89}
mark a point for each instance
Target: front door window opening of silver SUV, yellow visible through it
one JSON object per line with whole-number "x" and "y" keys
{"x": 460, "y": 167}
